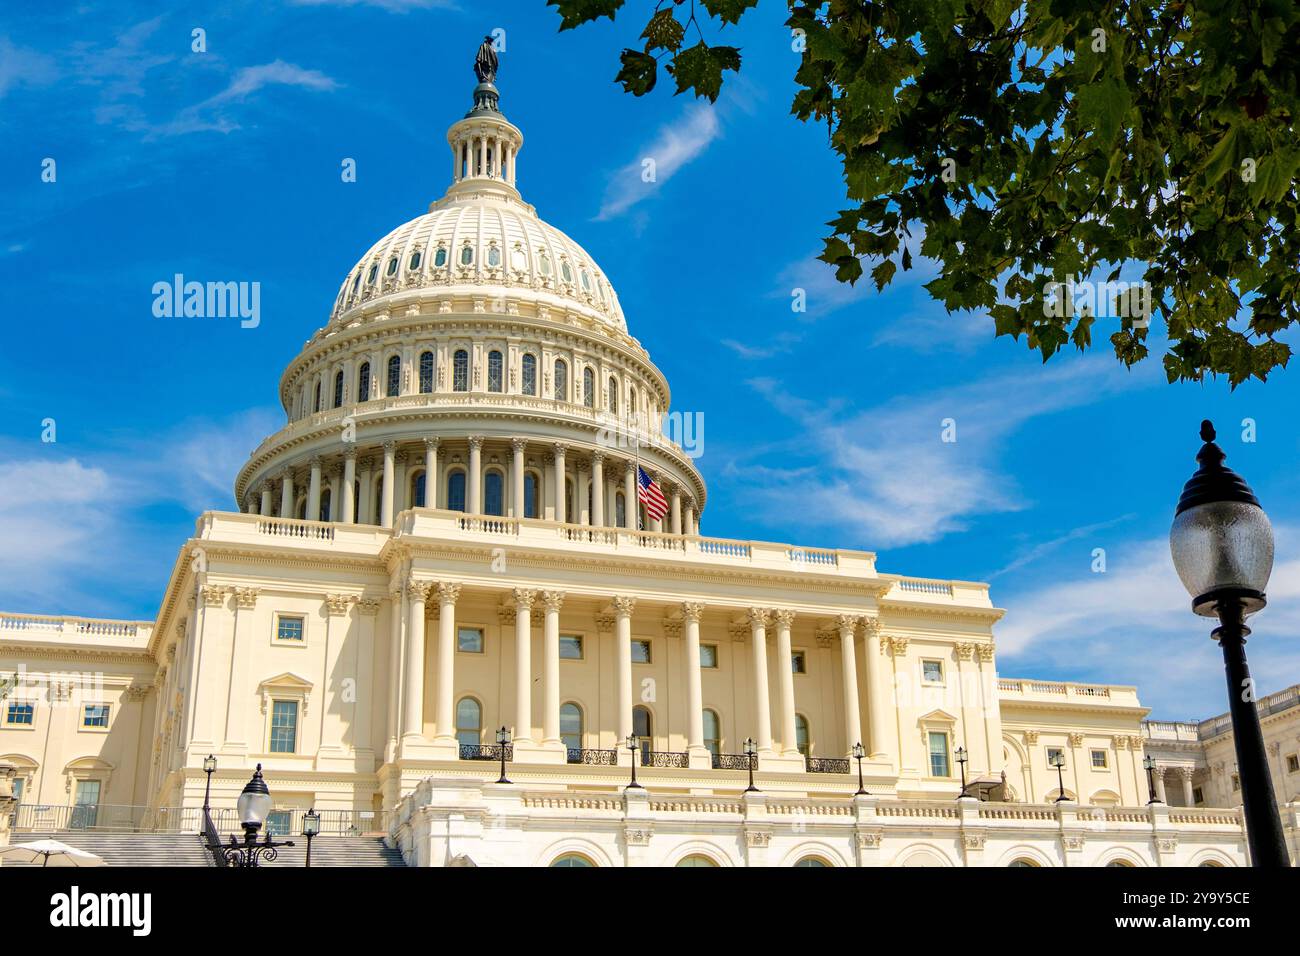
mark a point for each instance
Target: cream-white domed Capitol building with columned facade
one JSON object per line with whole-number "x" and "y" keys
{"x": 447, "y": 539}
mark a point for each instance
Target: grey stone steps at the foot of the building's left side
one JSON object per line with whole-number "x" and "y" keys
{"x": 189, "y": 850}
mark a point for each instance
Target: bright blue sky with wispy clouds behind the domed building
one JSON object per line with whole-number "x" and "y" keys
{"x": 822, "y": 429}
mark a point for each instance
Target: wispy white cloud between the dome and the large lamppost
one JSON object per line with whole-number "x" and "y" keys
{"x": 886, "y": 477}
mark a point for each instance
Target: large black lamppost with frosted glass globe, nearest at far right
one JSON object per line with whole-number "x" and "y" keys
{"x": 1223, "y": 548}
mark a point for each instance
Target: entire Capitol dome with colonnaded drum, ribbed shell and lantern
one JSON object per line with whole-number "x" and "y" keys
{"x": 475, "y": 360}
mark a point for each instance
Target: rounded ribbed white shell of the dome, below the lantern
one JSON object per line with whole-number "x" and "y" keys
{"x": 486, "y": 241}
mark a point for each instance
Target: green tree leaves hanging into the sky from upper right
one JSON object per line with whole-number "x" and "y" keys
{"x": 1022, "y": 145}
